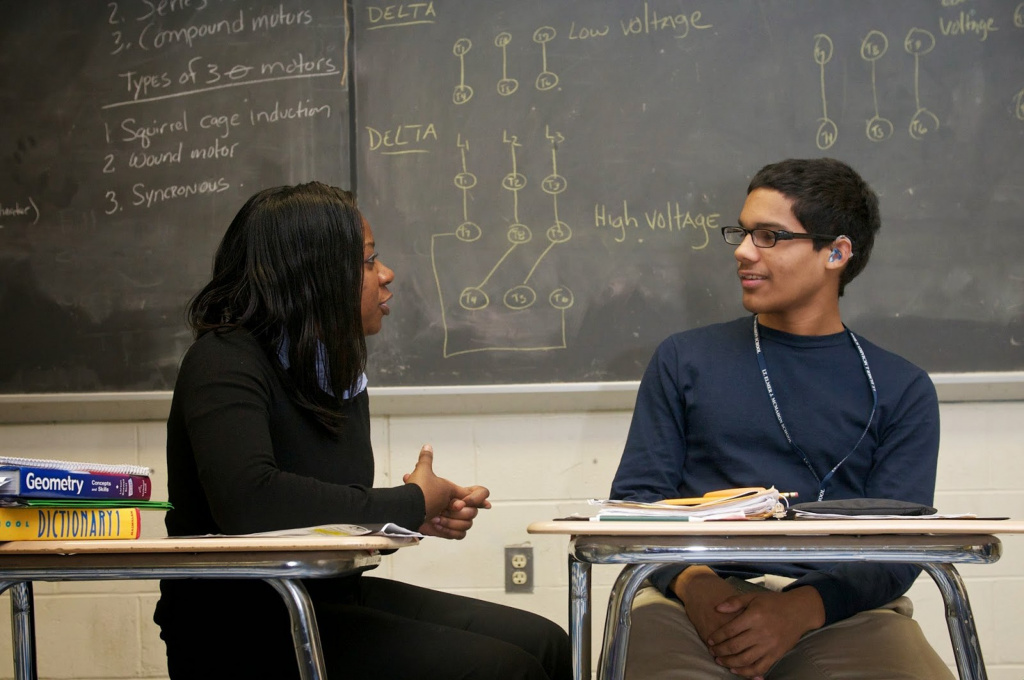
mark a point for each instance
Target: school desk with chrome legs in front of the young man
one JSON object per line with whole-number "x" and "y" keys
{"x": 935, "y": 545}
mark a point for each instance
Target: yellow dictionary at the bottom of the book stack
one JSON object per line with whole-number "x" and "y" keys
{"x": 68, "y": 524}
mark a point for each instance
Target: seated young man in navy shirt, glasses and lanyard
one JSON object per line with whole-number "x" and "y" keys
{"x": 789, "y": 398}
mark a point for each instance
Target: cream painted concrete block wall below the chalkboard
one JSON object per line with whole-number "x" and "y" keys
{"x": 538, "y": 466}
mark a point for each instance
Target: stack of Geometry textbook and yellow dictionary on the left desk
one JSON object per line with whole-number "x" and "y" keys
{"x": 46, "y": 500}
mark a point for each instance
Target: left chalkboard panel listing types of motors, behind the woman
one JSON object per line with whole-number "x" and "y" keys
{"x": 132, "y": 132}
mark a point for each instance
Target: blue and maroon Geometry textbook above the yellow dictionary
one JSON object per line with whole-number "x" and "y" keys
{"x": 47, "y": 483}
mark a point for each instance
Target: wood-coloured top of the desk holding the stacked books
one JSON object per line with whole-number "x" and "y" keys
{"x": 207, "y": 545}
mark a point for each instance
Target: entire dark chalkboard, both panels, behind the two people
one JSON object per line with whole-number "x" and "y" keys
{"x": 547, "y": 179}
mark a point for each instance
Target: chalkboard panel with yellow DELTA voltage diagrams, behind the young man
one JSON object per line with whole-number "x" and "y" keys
{"x": 548, "y": 179}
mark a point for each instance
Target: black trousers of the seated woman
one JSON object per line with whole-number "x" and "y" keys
{"x": 370, "y": 628}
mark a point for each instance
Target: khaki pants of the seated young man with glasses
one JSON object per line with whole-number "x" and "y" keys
{"x": 881, "y": 645}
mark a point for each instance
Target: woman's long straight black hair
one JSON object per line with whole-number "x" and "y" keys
{"x": 290, "y": 270}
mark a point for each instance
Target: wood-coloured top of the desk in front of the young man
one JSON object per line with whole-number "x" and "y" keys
{"x": 781, "y": 528}
